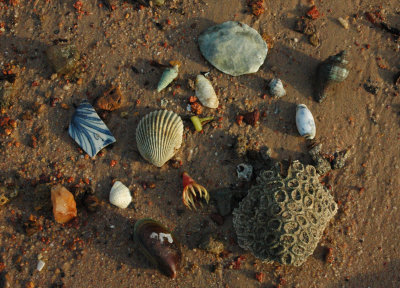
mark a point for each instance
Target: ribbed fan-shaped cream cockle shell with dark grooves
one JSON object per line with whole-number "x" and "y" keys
{"x": 159, "y": 135}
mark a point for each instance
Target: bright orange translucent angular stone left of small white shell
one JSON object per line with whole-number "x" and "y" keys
{"x": 64, "y": 205}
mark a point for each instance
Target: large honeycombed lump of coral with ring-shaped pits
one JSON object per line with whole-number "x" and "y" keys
{"x": 282, "y": 219}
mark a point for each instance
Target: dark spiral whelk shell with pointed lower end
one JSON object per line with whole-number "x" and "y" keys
{"x": 329, "y": 72}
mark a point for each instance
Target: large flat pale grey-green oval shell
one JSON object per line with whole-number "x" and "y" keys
{"x": 233, "y": 47}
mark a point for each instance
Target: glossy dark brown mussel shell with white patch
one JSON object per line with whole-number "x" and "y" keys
{"x": 159, "y": 246}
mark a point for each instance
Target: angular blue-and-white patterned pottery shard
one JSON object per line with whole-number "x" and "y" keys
{"x": 88, "y": 130}
